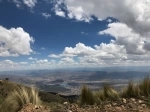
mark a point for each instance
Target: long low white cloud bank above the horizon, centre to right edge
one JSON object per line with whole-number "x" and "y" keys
{"x": 103, "y": 55}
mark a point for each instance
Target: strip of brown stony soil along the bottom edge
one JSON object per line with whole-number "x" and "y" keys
{"x": 123, "y": 105}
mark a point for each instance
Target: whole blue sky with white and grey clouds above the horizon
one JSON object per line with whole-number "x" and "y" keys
{"x": 47, "y": 34}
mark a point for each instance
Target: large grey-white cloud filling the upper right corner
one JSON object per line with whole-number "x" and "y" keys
{"x": 134, "y": 13}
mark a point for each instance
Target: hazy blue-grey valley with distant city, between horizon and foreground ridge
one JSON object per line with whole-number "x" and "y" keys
{"x": 70, "y": 82}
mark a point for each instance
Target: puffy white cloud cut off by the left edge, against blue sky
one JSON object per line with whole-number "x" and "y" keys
{"x": 15, "y": 42}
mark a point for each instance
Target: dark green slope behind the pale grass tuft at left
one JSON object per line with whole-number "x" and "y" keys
{"x": 48, "y": 99}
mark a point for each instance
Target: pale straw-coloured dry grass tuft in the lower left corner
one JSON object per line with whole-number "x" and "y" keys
{"x": 20, "y": 96}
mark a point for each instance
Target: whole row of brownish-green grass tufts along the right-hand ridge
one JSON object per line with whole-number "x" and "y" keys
{"x": 108, "y": 93}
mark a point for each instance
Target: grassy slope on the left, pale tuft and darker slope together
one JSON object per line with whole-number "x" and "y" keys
{"x": 14, "y": 96}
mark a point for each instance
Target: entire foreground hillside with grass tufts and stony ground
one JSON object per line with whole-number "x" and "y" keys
{"x": 105, "y": 100}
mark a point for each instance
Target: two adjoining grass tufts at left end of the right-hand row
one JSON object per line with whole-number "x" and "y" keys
{"x": 97, "y": 97}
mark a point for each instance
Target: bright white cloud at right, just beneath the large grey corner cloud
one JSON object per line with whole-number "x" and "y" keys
{"x": 131, "y": 40}
